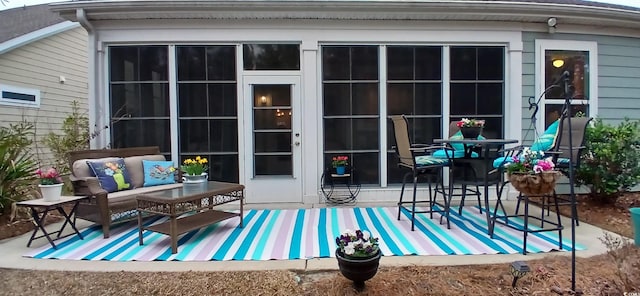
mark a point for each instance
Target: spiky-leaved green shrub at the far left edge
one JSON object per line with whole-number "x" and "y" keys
{"x": 17, "y": 165}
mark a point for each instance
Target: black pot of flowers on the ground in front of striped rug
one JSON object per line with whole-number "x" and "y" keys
{"x": 358, "y": 256}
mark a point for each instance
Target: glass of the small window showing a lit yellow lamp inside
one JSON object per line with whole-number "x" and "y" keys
{"x": 576, "y": 63}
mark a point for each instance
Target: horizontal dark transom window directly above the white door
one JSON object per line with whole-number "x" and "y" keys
{"x": 271, "y": 56}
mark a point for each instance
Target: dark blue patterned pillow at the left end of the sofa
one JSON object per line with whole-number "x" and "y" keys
{"x": 112, "y": 175}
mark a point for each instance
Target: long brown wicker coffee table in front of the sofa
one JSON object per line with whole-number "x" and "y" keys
{"x": 197, "y": 199}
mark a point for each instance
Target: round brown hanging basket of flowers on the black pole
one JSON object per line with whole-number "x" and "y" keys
{"x": 532, "y": 174}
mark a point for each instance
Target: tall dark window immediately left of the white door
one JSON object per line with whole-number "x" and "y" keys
{"x": 207, "y": 108}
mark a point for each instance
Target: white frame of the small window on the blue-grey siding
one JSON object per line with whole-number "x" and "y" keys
{"x": 542, "y": 45}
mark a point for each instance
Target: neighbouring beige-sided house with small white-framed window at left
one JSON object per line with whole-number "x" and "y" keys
{"x": 43, "y": 69}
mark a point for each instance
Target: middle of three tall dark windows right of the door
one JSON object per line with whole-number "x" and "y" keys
{"x": 414, "y": 88}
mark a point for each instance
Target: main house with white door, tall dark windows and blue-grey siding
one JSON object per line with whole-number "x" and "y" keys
{"x": 270, "y": 91}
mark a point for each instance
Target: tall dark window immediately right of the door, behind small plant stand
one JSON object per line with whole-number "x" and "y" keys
{"x": 351, "y": 108}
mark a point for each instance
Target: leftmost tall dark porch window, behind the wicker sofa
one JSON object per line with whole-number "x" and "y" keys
{"x": 139, "y": 93}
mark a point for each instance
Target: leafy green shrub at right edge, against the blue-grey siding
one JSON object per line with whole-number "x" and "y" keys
{"x": 611, "y": 164}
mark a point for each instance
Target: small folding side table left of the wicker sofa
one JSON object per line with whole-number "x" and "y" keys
{"x": 39, "y": 210}
